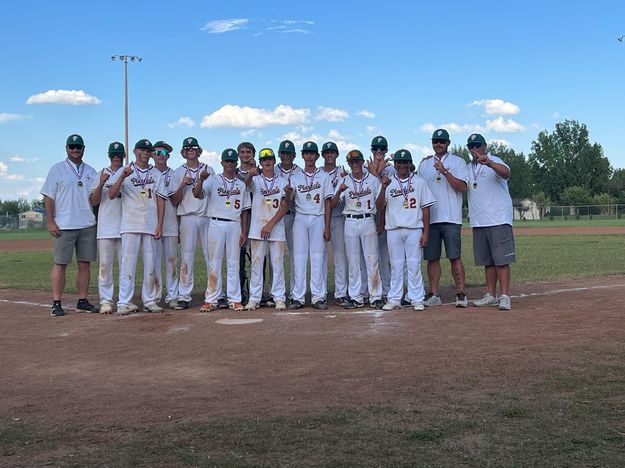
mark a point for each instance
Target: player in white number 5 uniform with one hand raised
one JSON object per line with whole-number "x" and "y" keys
{"x": 228, "y": 205}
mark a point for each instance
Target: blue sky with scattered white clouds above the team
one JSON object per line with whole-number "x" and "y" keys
{"x": 228, "y": 72}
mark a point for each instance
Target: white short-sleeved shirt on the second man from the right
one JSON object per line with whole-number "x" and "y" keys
{"x": 448, "y": 208}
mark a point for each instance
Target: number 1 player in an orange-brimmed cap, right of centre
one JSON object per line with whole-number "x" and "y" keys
{"x": 359, "y": 192}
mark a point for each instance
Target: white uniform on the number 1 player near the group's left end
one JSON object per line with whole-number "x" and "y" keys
{"x": 139, "y": 223}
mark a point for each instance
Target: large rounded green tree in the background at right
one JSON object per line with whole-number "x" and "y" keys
{"x": 566, "y": 158}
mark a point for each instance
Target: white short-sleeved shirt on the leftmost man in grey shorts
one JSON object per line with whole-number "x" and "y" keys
{"x": 68, "y": 185}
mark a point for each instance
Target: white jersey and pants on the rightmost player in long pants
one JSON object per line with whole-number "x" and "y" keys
{"x": 405, "y": 200}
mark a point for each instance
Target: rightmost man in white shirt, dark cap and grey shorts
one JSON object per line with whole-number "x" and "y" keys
{"x": 490, "y": 213}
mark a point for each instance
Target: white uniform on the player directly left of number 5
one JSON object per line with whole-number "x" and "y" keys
{"x": 194, "y": 222}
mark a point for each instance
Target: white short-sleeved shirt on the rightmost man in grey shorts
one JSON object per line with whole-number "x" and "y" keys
{"x": 489, "y": 199}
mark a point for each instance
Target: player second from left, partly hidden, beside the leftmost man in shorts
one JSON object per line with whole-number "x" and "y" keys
{"x": 110, "y": 218}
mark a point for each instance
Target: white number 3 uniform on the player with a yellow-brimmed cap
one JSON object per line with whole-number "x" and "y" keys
{"x": 266, "y": 194}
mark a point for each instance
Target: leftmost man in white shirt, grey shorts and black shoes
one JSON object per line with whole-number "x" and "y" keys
{"x": 71, "y": 222}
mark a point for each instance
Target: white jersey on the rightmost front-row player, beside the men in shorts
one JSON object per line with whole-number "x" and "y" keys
{"x": 405, "y": 199}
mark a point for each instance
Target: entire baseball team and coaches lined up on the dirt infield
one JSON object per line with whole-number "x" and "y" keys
{"x": 377, "y": 219}
